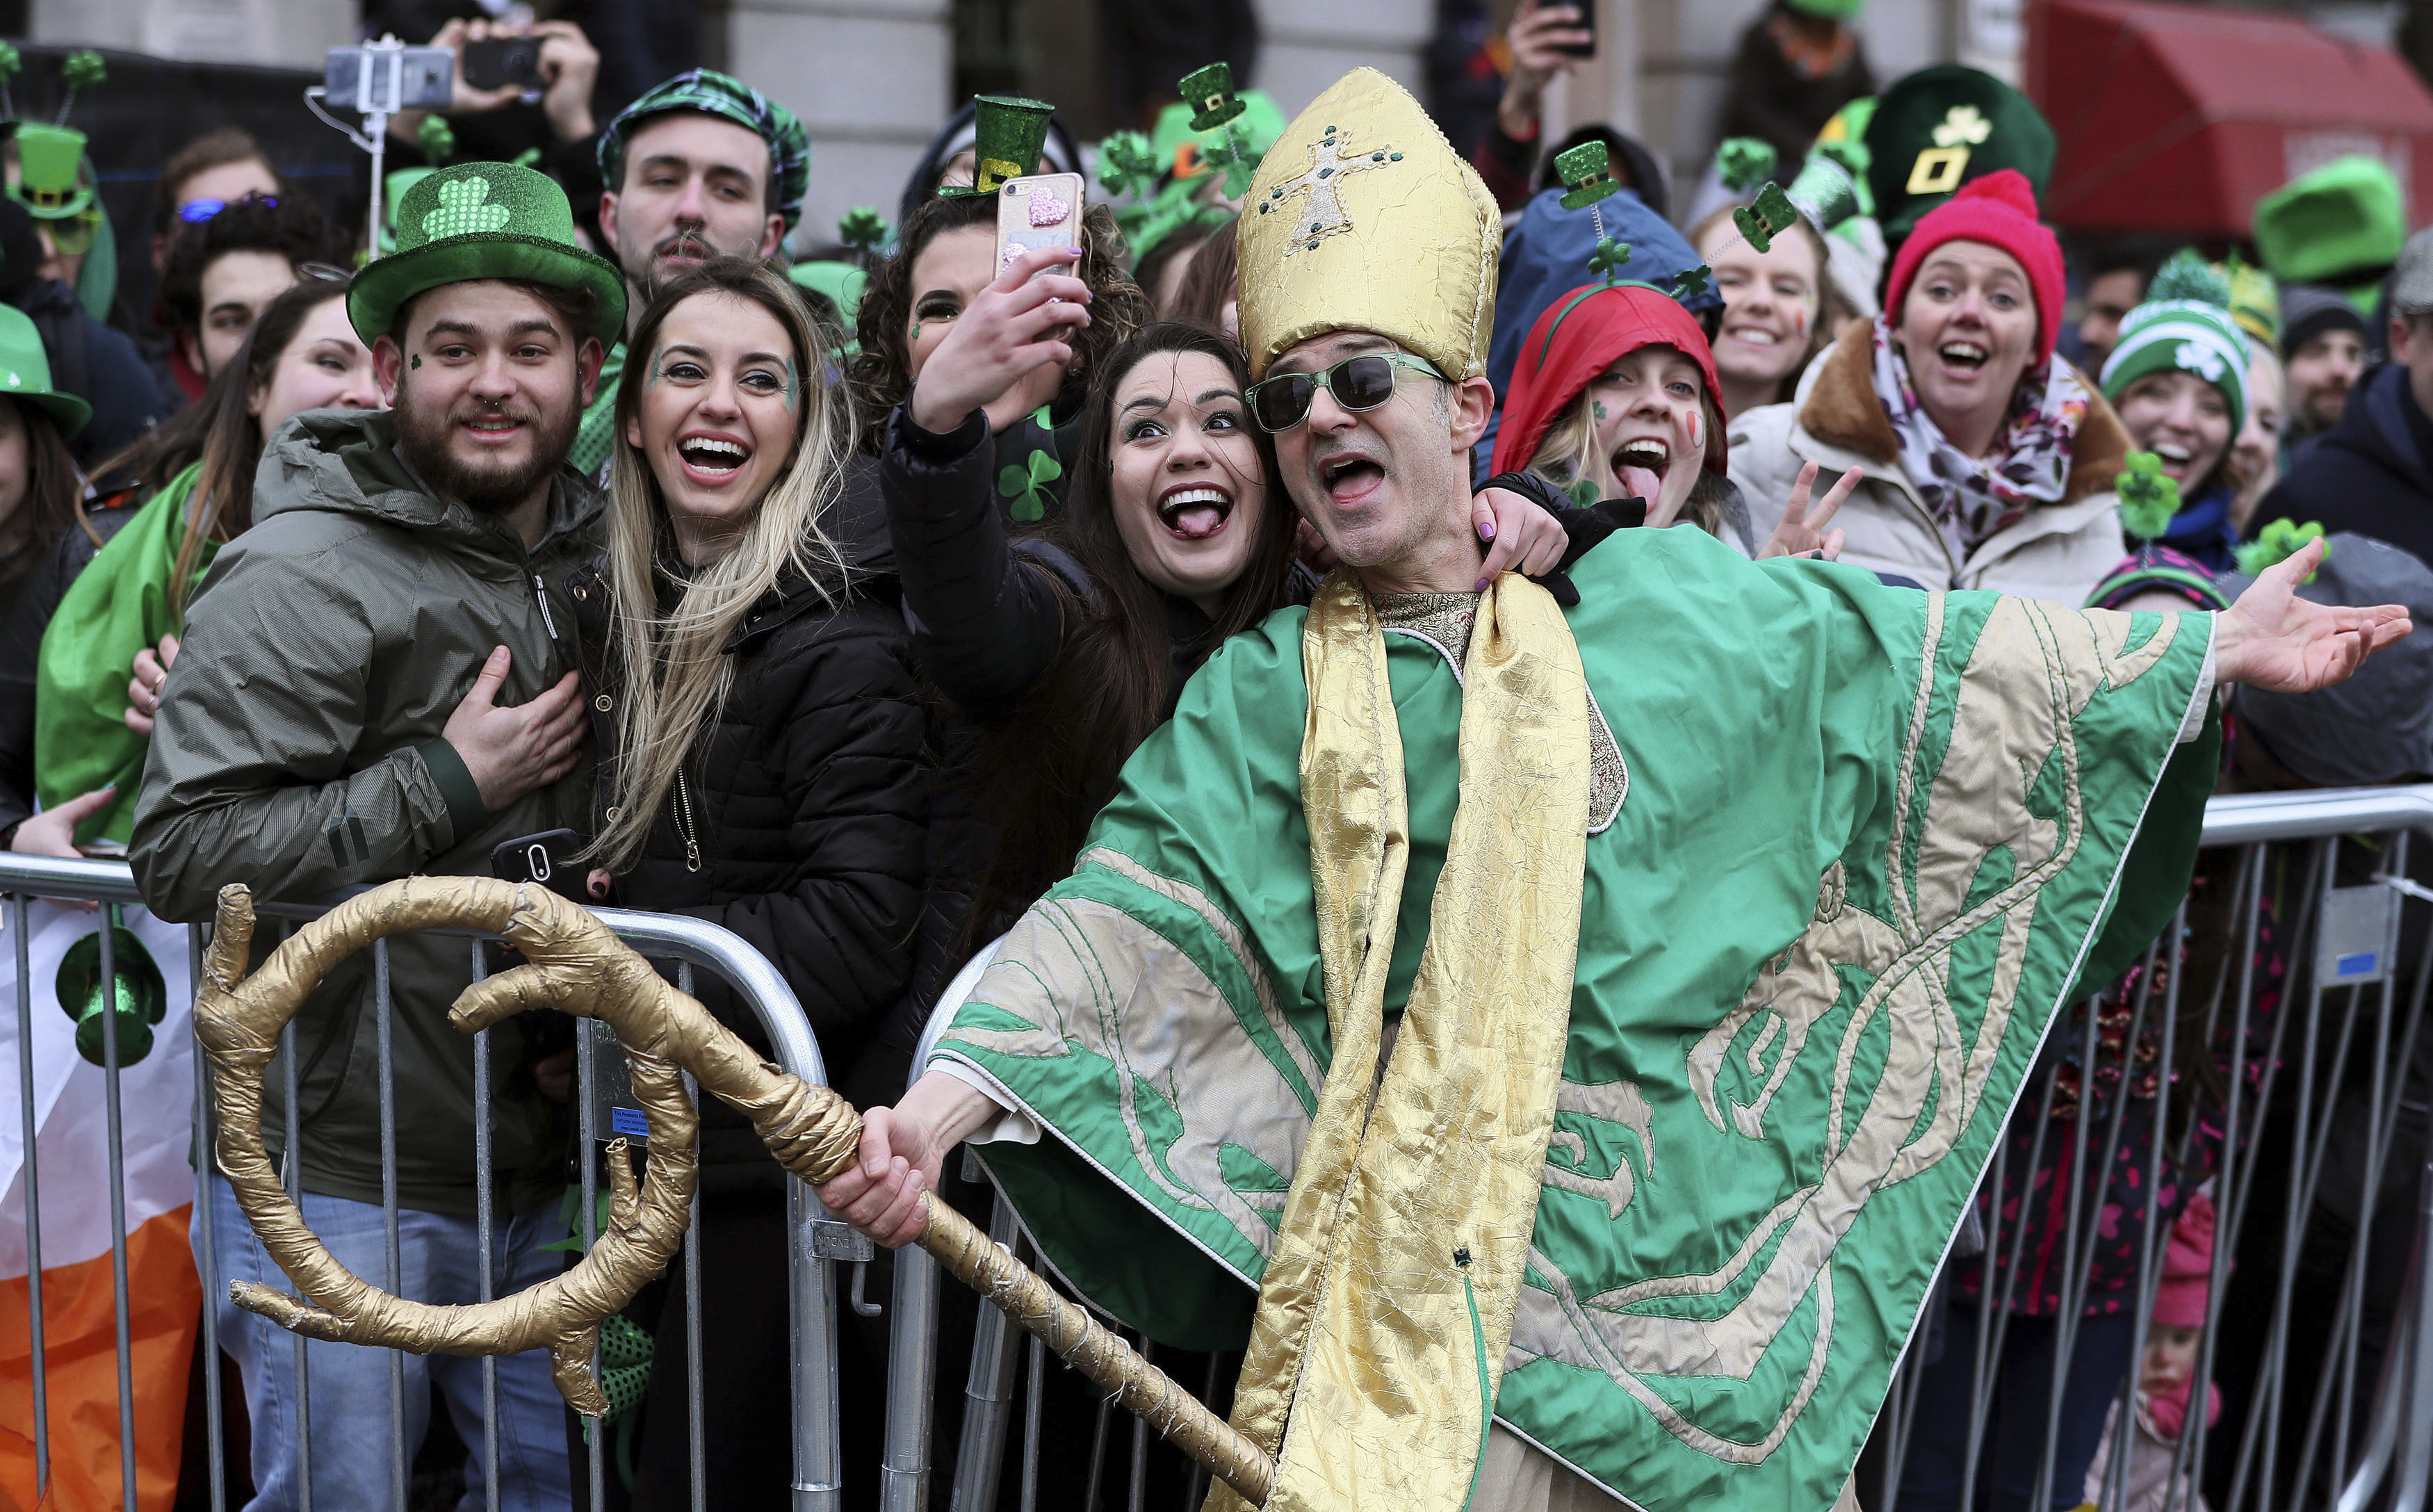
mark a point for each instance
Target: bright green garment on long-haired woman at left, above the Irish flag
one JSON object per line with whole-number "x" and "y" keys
{"x": 118, "y": 605}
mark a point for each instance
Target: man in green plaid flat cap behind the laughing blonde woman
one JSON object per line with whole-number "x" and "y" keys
{"x": 702, "y": 167}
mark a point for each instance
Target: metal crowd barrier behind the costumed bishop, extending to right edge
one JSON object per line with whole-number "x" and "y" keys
{"x": 2308, "y": 1435}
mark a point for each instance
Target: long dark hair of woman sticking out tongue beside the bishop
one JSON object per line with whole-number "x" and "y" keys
{"x": 1113, "y": 683}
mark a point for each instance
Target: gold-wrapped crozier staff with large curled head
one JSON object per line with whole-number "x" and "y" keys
{"x": 578, "y": 965}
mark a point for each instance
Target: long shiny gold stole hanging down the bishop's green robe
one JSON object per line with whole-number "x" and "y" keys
{"x": 1388, "y": 1304}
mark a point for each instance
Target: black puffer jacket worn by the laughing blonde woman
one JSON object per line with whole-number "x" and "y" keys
{"x": 807, "y": 802}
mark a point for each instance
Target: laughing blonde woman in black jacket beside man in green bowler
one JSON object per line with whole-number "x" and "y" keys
{"x": 763, "y": 766}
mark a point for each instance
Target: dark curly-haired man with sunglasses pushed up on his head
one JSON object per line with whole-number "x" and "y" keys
{"x": 225, "y": 269}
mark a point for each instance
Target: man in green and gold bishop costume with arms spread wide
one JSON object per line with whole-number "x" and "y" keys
{"x": 1561, "y": 1041}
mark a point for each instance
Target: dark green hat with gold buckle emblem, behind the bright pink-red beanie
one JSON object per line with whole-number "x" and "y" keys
{"x": 1943, "y": 128}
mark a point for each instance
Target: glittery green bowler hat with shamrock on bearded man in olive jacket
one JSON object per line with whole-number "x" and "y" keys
{"x": 483, "y": 220}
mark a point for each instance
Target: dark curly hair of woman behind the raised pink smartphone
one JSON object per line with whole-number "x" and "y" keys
{"x": 882, "y": 374}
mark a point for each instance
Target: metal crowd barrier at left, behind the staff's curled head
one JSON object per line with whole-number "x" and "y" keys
{"x": 814, "y": 1241}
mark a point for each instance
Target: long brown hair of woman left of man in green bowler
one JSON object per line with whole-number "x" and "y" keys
{"x": 223, "y": 435}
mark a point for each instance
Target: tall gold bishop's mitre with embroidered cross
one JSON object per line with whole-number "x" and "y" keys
{"x": 1366, "y": 220}
